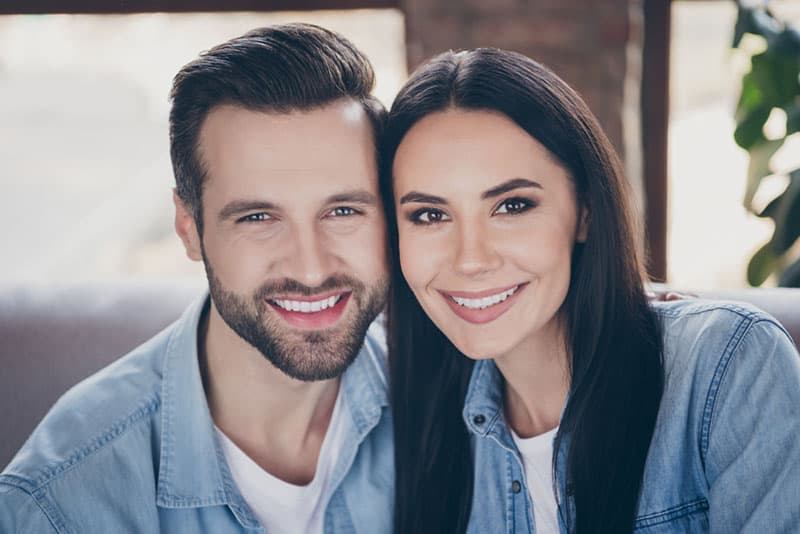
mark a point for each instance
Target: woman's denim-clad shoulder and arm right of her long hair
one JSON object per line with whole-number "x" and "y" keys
{"x": 724, "y": 449}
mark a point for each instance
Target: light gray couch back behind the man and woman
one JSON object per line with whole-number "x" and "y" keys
{"x": 52, "y": 337}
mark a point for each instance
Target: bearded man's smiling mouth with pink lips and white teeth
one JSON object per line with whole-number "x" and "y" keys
{"x": 313, "y": 313}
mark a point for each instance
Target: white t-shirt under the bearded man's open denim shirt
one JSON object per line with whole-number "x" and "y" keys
{"x": 278, "y": 505}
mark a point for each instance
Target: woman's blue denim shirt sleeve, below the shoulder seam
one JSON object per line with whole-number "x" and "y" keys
{"x": 752, "y": 443}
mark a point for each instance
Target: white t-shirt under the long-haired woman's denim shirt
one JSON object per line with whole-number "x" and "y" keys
{"x": 537, "y": 458}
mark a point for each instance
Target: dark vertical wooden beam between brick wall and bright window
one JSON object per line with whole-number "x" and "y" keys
{"x": 655, "y": 124}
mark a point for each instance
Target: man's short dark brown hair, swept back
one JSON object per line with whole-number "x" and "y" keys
{"x": 276, "y": 69}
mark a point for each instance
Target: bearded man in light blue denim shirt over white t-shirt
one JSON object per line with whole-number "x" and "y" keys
{"x": 264, "y": 408}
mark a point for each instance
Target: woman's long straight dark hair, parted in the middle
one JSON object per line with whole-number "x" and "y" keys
{"x": 613, "y": 337}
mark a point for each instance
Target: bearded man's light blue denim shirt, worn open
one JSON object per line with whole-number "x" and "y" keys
{"x": 132, "y": 449}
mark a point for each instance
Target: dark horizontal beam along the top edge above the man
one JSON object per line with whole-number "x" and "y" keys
{"x": 108, "y": 7}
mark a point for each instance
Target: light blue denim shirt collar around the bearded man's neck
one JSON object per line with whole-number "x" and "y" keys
{"x": 187, "y": 478}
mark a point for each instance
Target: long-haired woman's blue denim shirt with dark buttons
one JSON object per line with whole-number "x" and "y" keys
{"x": 725, "y": 454}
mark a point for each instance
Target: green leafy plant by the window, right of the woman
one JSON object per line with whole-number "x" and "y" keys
{"x": 772, "y": 83}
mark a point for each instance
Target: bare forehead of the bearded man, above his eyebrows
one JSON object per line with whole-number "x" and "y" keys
{"x": 318, "y": 151}
